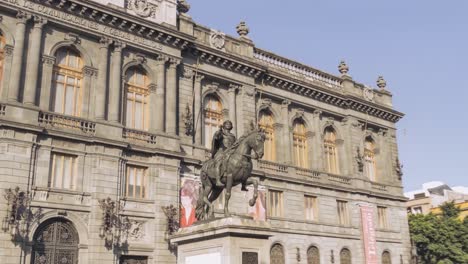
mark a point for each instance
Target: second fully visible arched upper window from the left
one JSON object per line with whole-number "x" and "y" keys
{"x": 137, "y": 116}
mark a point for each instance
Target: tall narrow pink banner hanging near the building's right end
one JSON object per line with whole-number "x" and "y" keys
{"x": 368, "y": 233}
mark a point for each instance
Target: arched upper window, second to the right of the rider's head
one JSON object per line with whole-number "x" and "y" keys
{"x": 300, "y": 144}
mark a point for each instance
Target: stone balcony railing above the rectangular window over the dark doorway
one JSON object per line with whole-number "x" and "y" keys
{"x": 54, "y": 120}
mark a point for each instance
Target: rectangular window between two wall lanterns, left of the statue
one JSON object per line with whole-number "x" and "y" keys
{"x": 136, "y": 182}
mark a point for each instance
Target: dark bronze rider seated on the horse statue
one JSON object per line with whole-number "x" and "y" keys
{"x": 223, "y": 139}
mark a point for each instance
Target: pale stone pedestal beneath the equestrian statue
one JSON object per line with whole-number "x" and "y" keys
{"x": 225, "y": 241}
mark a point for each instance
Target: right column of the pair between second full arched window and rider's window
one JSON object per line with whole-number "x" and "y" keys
{"x": 171, "y": 97}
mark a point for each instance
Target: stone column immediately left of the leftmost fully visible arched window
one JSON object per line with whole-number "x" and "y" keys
{"x": 32, "y": 68}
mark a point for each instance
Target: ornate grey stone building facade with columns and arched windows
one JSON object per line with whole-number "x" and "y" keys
{"x": 119, "y": 99}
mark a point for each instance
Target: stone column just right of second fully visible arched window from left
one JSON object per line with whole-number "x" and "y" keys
{"x": 160, "y": 96}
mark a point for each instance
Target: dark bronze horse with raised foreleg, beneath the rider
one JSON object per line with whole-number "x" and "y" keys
{"x": 236, "y": 168}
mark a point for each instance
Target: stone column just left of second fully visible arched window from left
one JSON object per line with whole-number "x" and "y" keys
{"x": 115, "y": 89}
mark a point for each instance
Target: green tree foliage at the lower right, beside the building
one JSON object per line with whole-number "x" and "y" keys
{"x": 440, "y": 239}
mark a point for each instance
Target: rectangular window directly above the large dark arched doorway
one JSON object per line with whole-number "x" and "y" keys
{"x": 63, "y": 171}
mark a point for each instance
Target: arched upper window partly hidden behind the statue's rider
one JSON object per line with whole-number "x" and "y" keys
{"x": 213, "y": 118}
